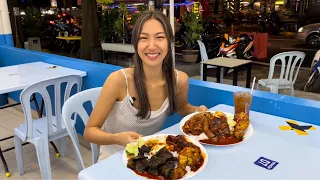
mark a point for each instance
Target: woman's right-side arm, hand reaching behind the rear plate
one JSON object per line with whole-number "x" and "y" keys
{"x": 184, "y": 108}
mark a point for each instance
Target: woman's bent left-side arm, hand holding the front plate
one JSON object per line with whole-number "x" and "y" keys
{"x": 110, "y": 93}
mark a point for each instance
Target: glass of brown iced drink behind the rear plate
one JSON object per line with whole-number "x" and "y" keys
{"x": 242, "y": 102}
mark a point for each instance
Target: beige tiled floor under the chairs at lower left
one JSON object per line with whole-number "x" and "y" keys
{"x": 61, "y": 168}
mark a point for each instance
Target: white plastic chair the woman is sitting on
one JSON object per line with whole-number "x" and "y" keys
{"x": 75, "y": 105}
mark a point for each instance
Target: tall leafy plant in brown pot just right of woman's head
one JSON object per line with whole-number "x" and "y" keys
{"x": 193, "y": 31}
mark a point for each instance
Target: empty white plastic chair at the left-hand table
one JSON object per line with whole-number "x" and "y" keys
{"x": 41, "y": 131}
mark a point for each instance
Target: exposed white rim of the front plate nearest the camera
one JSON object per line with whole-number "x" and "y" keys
{"x": 186, "y": 176}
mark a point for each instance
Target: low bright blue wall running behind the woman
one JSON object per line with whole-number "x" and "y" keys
{"x": 207, "y": 93}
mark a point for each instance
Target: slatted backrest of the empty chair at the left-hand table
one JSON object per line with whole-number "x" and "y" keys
{"x": 41, "y": 88}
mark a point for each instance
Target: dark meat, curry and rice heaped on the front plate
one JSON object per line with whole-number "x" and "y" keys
{"x": 171, "y": 157}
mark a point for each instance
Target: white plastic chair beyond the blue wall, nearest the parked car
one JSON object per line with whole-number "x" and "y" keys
{"x": 288, "y": 75}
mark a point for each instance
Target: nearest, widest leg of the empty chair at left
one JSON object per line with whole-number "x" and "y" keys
{"x": 42, "y": 148}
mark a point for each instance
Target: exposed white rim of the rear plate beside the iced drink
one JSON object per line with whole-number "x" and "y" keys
{"x": 247, "y": 135}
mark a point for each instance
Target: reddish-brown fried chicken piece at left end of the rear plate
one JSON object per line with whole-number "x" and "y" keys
{"x": 194, "y": 125}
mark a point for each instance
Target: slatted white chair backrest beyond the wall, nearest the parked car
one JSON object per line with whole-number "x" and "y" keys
{"x": 287, "y": 69}
